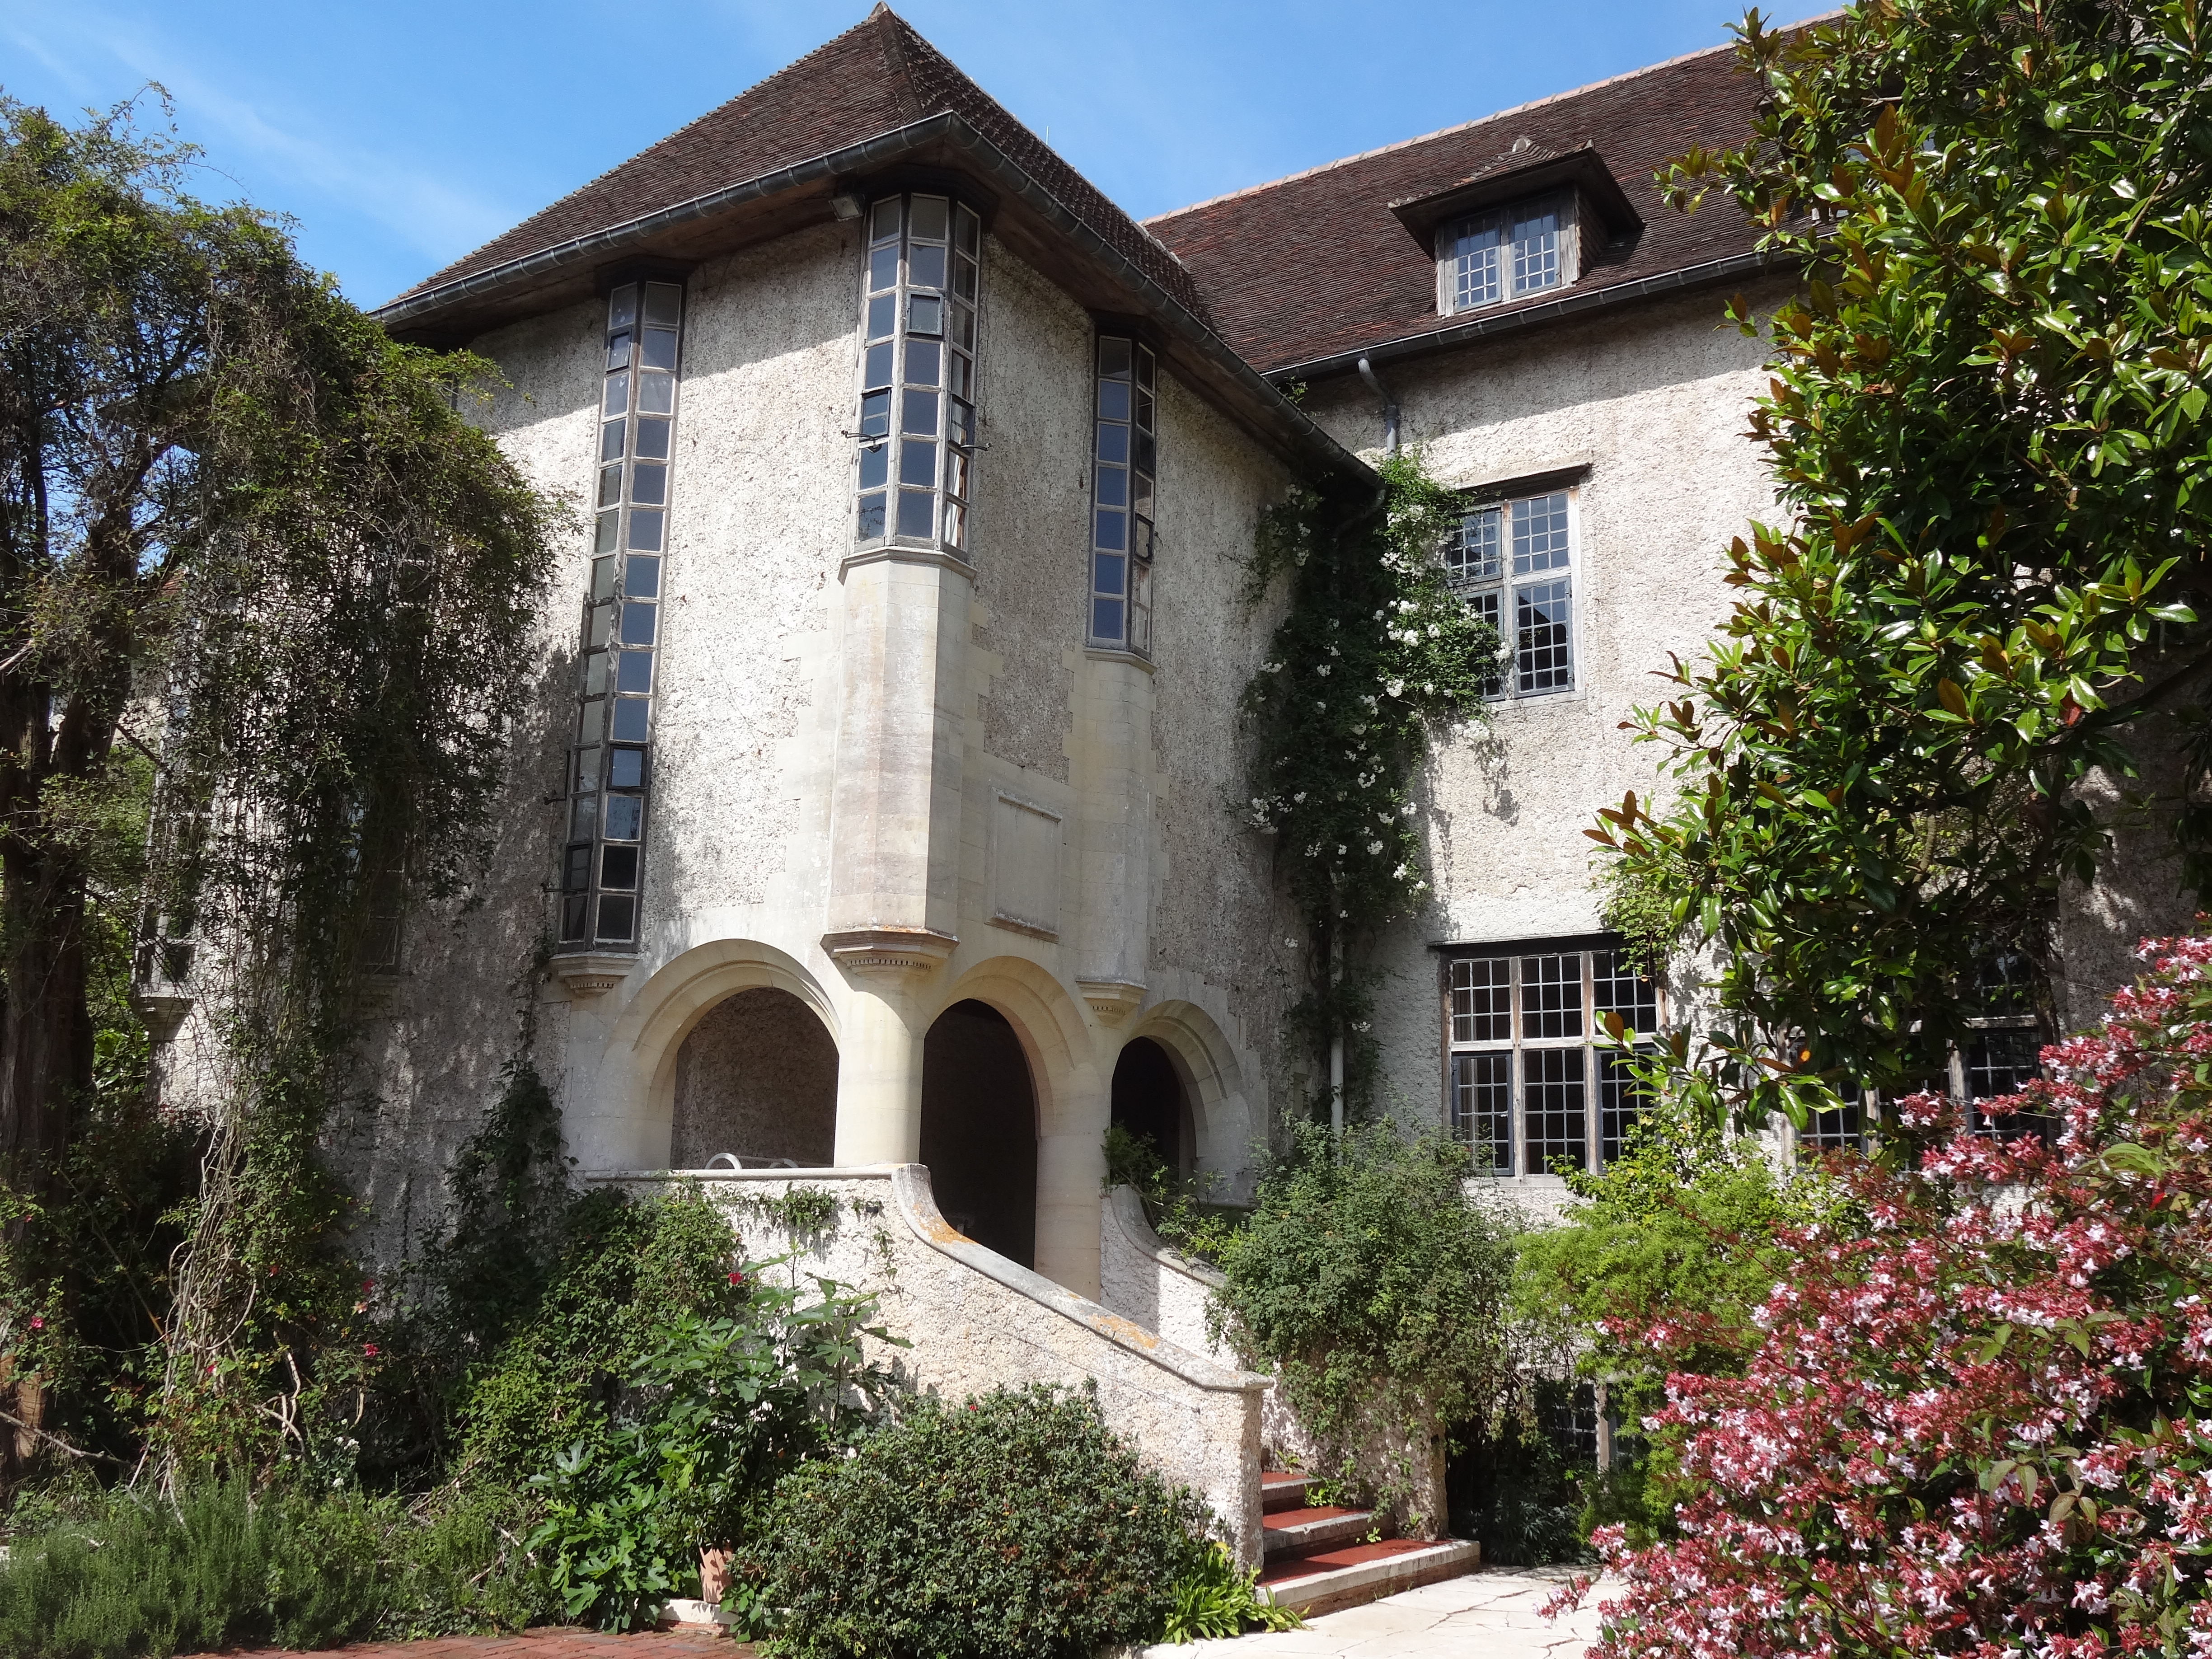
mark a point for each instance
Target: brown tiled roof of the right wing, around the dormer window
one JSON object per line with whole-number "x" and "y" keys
{"x": 1317, "y": 264}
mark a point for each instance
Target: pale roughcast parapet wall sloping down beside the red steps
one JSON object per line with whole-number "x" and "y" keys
{"x": 979, "y": 1322}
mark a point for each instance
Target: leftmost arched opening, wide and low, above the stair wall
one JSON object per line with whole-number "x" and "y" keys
{"x": 758, "y": 1078}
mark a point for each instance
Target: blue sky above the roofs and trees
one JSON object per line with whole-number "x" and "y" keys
{"x": 404, "y": 134}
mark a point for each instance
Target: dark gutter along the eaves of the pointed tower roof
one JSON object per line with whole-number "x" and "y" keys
{"x": 603, "y": 244}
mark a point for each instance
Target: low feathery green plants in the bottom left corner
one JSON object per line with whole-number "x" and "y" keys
{"x": 140, "y": 1576}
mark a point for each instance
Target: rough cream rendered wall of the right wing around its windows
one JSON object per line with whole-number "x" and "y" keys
{"x": 1653, "y": 404}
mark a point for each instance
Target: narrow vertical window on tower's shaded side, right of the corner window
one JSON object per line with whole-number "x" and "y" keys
{"x": 1125, "y": 470}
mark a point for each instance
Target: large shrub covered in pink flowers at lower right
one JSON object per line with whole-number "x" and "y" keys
{"x": 1983, "y": 1426}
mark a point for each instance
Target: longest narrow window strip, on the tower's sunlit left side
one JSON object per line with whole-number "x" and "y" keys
{"x": 623, "y": 616}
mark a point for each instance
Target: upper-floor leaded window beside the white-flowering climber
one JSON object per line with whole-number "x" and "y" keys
{"x": 1514, "y": 561}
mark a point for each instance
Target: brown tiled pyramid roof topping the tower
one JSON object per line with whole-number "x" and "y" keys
{"x": 875, "y": 79}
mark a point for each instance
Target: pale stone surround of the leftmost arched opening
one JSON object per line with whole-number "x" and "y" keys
{"x": 629, "y": 1105}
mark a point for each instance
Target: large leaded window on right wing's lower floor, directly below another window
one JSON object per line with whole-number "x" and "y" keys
{"x": 1527, "y": 1083}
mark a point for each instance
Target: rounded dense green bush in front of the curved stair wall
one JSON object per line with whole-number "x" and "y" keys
{"x": 1012, "y": 1525}
